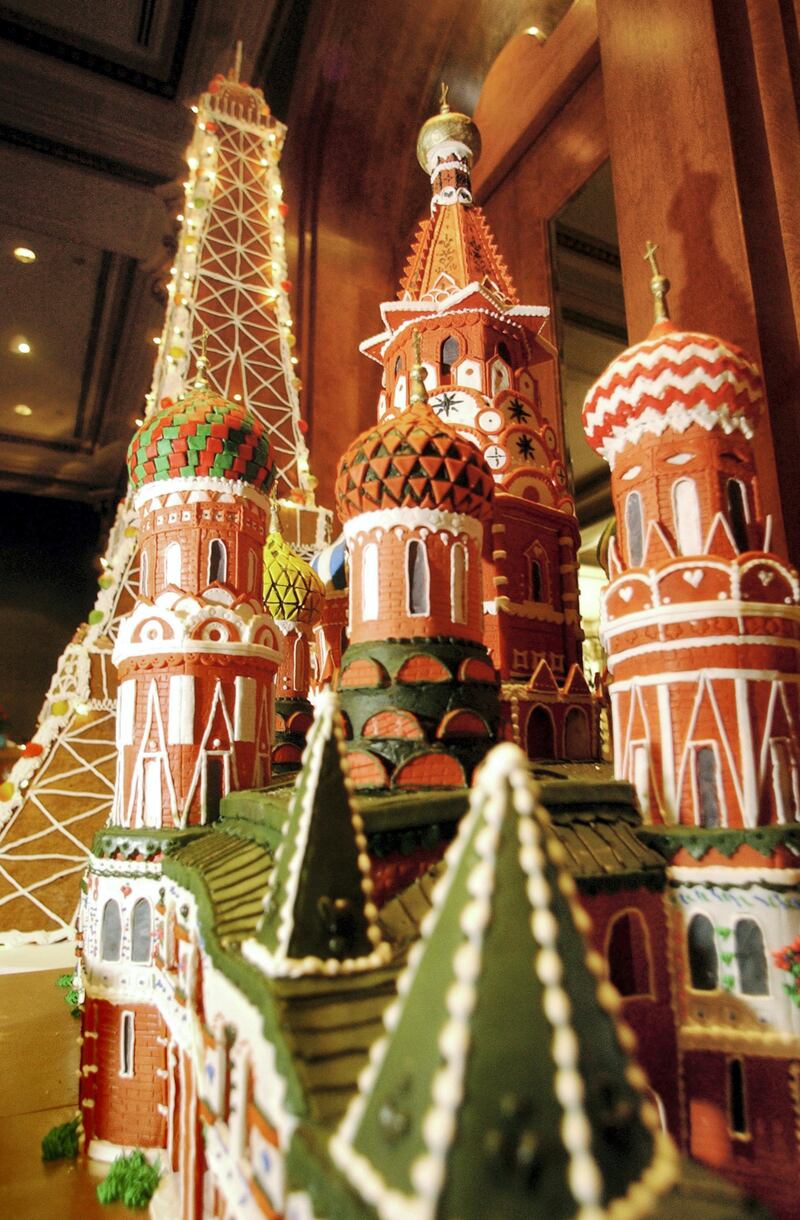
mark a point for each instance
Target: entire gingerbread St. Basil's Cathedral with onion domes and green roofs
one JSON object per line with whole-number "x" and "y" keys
{"x": 376, "y": 992}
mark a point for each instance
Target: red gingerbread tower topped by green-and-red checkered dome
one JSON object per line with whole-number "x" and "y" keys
{"x": 198, "y": 656}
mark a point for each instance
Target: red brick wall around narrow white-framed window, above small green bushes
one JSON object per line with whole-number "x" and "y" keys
{"x": 126, "y": 1110}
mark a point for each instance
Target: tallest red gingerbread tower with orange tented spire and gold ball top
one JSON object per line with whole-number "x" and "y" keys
{"x": 495, "y": 380}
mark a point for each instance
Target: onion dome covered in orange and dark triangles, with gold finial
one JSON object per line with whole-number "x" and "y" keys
{"x": 414, "y": 462}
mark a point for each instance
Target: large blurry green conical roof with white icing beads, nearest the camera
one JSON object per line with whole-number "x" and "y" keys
{"x": 502, "y": 1088}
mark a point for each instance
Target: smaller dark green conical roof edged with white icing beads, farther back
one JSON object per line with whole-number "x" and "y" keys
{"x": 319, "y": 917}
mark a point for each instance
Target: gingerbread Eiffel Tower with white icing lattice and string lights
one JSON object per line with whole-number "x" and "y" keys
{"x": 230, "y": 278}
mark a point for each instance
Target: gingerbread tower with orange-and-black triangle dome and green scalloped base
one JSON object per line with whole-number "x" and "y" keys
{"x": 418, "y": 685}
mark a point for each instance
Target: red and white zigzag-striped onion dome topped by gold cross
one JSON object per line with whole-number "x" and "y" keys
{"x": 673, "y": 380}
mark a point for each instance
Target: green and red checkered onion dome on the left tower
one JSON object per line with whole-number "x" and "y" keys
{"x": 202, "y": 436}
